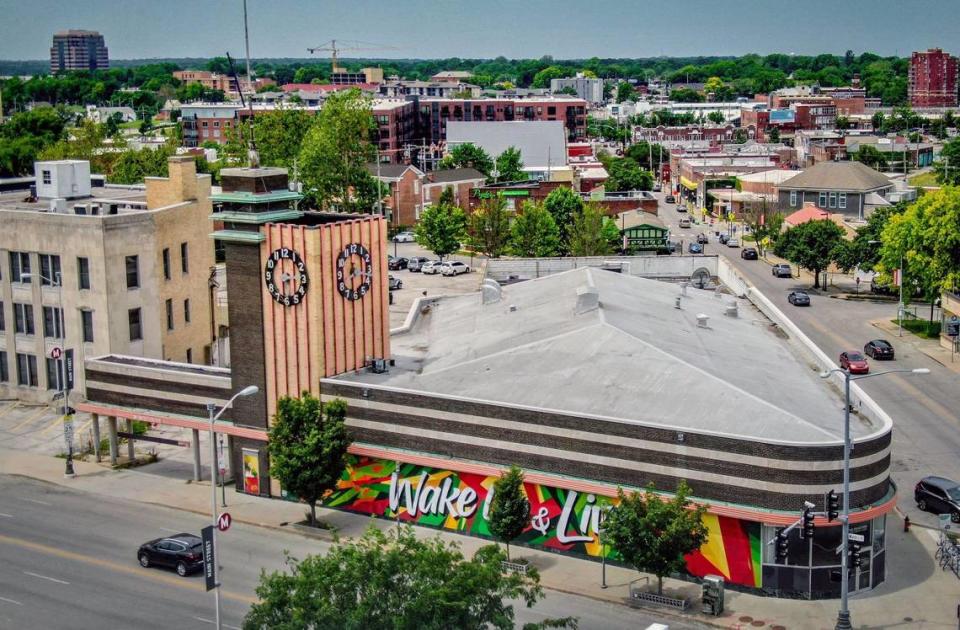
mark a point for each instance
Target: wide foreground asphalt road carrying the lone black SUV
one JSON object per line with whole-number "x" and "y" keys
{"x": 69, "y": 561}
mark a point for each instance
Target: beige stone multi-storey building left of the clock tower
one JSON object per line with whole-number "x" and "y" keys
{"x": 112, "y": 270}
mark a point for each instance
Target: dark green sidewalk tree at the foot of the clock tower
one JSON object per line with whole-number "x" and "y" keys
{"x": 308, "y": 447}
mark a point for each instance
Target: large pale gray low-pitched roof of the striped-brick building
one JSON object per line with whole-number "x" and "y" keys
{"x": 635, "y": 358}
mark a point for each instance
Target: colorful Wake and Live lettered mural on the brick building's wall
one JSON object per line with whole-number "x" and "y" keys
{"x": 561, "y": 520}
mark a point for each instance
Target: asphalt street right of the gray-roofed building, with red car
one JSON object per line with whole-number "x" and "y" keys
{"x": 926, "y": 436}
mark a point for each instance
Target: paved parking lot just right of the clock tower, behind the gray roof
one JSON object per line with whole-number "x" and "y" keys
{"x": 417, "y": 284}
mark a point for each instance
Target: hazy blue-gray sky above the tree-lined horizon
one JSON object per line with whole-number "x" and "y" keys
{"x": 565, "y": 29}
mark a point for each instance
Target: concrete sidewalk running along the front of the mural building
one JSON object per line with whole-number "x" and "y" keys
{"x": 916, "y": 594}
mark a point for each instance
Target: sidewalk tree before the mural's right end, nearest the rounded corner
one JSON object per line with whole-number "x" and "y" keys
{"x": 652, "y": 534}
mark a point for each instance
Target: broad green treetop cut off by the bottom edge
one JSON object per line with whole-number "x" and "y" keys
{"x": 396, "y": 581}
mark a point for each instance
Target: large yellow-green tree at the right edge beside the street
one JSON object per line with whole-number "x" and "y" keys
{"x": 926, "y": 237}
